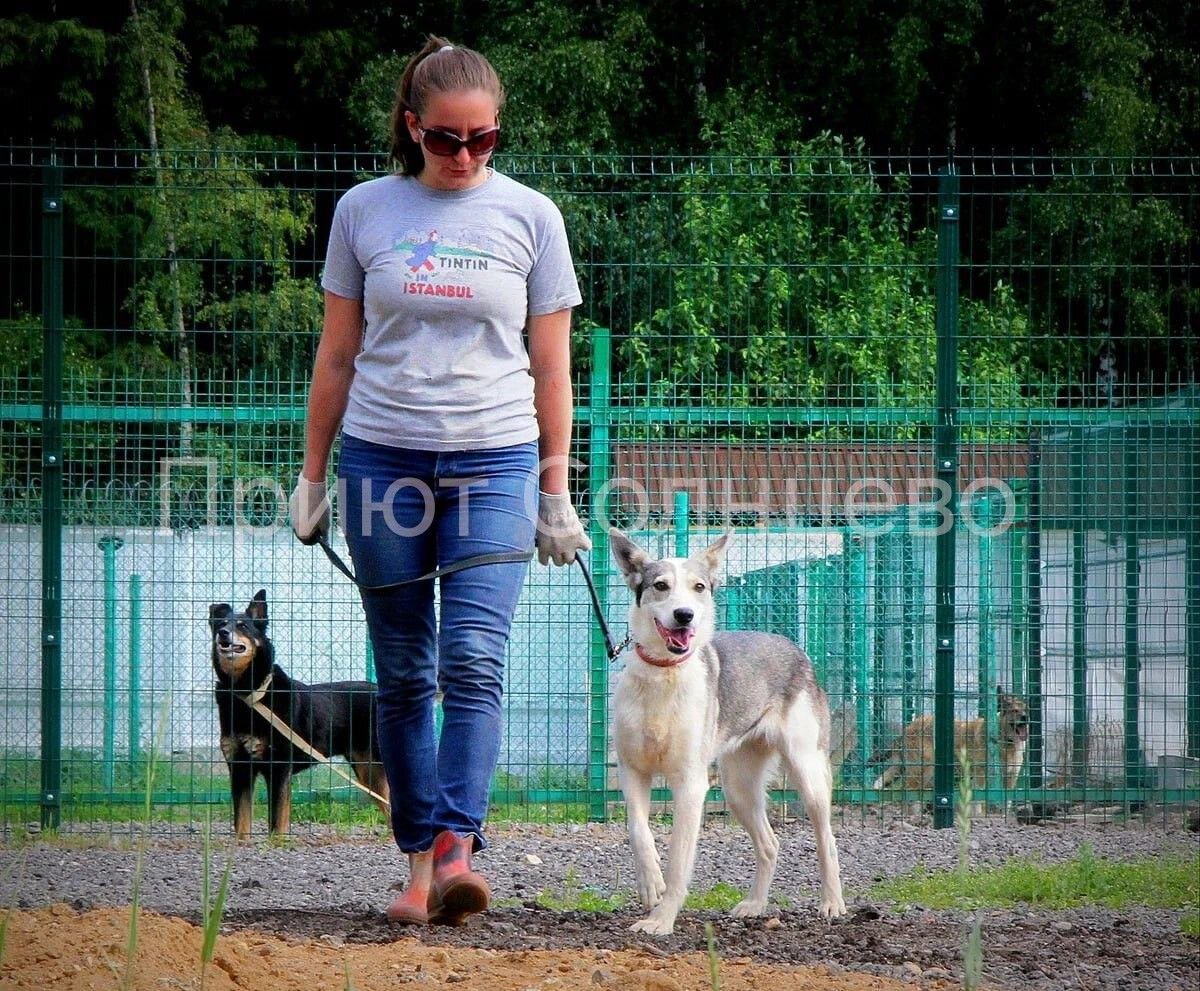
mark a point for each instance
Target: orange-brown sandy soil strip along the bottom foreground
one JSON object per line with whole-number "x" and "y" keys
{"x": 61, "y": 948}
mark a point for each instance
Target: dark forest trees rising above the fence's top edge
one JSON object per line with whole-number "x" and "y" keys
{"x": 629, "y": 75}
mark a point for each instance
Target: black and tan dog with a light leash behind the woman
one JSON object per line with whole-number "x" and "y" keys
{"x": 335, "y": 719}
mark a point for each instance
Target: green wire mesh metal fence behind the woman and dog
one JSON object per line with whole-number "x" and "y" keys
{"x": 951, "y": 410}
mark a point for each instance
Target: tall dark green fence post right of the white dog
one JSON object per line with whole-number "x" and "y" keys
{"x": 946, "y": 452}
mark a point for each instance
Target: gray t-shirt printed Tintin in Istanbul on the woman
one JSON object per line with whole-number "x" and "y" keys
{"x": 448, "y": 281}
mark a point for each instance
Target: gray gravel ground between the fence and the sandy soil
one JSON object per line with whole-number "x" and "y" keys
{"x": 334, "y": 890}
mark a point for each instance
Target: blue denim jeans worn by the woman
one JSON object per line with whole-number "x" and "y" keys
{"x": 405, "y": 514}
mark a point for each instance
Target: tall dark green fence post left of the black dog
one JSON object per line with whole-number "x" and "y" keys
{"x": 52, "y": 494}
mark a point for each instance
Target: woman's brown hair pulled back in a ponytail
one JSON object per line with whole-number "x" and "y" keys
{"x": 439, "y": 68}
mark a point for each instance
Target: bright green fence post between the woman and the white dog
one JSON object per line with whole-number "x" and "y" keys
{"x": 599, "y": 472}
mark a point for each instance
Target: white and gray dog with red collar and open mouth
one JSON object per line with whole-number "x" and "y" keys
{"x": 691, "y": 696}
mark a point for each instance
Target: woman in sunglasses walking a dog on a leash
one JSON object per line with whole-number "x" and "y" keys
{"x": 434, "y": 277}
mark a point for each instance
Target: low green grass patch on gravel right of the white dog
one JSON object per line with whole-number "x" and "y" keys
{"x": 1162, "y": 882}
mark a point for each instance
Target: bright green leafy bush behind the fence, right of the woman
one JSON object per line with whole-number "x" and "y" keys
{"x": 799, "y": 278}
